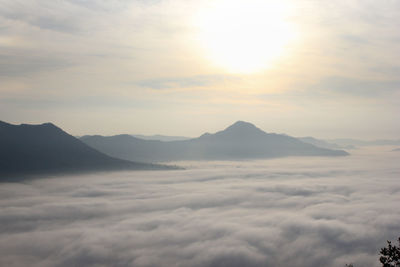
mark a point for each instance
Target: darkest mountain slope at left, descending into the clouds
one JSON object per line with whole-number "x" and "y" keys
{"x": 39, "y": 149}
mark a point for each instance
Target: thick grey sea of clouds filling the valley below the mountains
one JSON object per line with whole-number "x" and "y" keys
{"x": 301, "y": 212}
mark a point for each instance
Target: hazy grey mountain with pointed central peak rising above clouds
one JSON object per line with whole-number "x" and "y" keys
{"x": 242, "y": 140}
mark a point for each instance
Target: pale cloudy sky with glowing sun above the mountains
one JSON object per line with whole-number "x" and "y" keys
{"x": 183, "y": 67}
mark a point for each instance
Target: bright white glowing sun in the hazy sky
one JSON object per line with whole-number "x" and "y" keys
{"x": 244, "y": 36}
